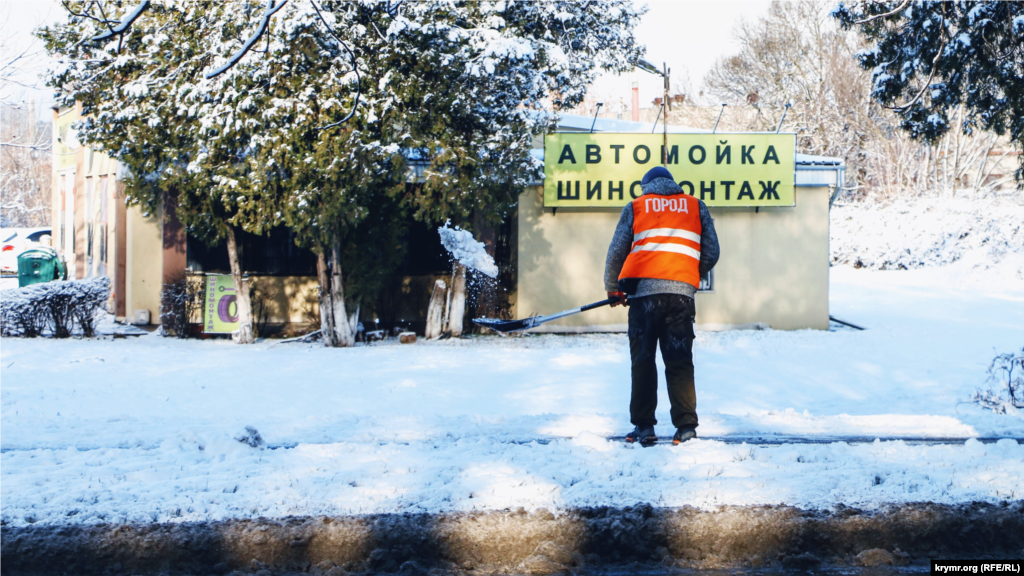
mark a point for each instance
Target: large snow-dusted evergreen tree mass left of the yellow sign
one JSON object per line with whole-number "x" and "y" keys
{"x": 307, "y": 113}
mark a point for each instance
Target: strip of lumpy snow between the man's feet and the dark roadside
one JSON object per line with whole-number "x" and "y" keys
{"x": 194, "y": 477}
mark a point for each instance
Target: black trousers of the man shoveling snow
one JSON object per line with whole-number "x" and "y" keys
{"x": 665, "y": 320}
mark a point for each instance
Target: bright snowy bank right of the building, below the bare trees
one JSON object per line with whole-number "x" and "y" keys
{"x": 928, "y": 231}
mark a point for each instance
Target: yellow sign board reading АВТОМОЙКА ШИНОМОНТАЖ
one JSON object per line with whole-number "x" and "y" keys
{"x": 605, "y": 170}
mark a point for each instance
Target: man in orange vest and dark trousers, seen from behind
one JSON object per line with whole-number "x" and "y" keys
{"x": 664, "y": 244}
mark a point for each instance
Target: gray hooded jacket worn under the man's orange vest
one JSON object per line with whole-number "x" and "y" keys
{"x": 622, "y": 244}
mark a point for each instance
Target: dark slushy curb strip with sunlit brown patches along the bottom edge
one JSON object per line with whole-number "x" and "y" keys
{"x": 515, "y": 542}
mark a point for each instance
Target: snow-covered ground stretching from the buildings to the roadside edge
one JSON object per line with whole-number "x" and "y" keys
{"x": 144, "y": 430}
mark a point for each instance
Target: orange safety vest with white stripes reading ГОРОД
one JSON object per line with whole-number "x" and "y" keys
{"x": 666, "y": 240}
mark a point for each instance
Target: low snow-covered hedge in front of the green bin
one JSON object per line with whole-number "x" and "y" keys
{"x": 56, "y": 308}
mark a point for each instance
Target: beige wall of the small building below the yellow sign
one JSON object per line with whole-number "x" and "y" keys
{"x": 774, "y": 270}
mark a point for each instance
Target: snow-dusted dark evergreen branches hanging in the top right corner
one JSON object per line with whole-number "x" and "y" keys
{"x": 930, "y": 58}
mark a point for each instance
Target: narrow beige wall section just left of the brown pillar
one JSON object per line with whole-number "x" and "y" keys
{"x": 145, "y": 264}
